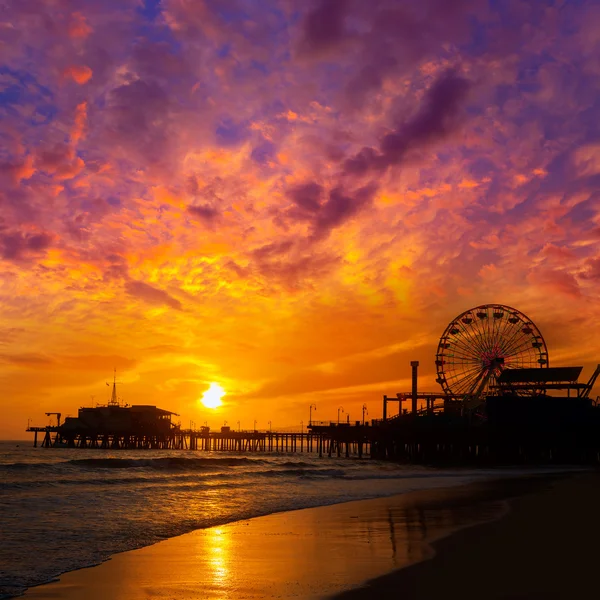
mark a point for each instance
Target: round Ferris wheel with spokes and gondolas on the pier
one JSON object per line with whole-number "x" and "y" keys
{"x": 481, "y": 343}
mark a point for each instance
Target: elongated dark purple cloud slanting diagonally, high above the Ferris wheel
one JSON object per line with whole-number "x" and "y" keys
{"x": 434, "y": 121}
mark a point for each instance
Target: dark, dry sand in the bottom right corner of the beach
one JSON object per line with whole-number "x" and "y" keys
{"x": 545, "y": 547}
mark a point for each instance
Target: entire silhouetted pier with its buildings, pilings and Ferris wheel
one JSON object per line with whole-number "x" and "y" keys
{"x": 500, "y": 402}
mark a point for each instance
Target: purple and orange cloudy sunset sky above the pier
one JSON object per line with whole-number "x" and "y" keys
{"x": 289, "y": 198}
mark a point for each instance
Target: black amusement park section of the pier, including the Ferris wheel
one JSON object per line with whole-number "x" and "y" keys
{"x": 498, "y": 401}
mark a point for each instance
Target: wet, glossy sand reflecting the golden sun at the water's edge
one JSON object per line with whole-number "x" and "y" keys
{"x": 323, "y": 550}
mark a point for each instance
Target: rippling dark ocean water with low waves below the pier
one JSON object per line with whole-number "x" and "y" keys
{"x": 65, "y": 509}
